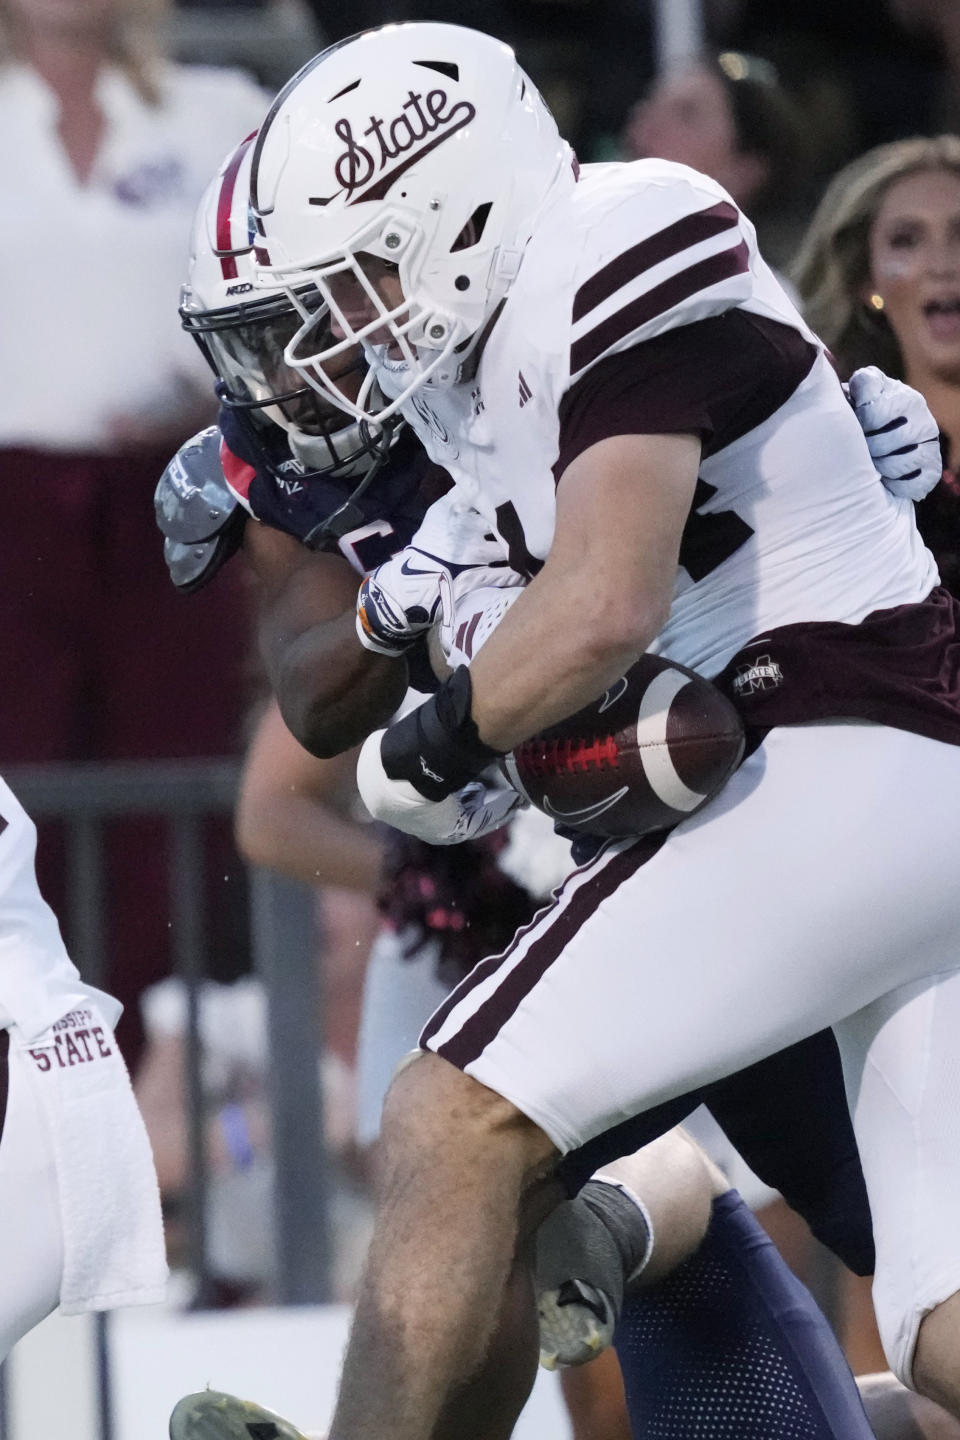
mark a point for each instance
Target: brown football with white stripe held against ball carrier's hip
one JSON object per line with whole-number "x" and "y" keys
{"x": 644, "y": 757}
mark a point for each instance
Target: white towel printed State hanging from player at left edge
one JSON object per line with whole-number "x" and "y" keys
{"x": 110, "y": 1202}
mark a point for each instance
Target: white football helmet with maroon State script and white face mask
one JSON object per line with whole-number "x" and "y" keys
{"x": 427, "y": 148}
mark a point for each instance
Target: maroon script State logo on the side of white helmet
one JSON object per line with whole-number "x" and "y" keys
{"x": 421, "y": 117}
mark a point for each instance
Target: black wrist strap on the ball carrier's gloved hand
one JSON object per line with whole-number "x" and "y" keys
{"x": 437, "y": 748}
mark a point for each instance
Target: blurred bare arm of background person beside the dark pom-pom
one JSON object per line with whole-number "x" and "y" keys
{"x": 293, "y": 813}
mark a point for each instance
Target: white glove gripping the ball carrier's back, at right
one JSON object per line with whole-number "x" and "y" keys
{"x": 902, "y": 434}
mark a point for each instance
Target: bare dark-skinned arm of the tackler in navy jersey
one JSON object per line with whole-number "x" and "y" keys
{"x": 330, "y": 690}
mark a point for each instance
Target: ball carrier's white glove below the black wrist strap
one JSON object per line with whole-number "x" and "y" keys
{"x": 477, "y": 810}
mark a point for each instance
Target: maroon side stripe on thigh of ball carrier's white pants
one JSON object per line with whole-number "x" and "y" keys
{"x": 486, "y": 1023}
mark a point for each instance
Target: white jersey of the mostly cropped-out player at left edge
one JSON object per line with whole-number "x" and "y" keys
{"x": 38, "y": 981}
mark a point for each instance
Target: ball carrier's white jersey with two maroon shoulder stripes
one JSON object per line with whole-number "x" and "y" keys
{"x": 789, "y": 522}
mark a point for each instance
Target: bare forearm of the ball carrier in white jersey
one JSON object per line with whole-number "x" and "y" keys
{"x": 604, "y": 593}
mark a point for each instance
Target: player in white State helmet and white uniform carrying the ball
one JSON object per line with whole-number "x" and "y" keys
{"x": 617, "y": 382}
